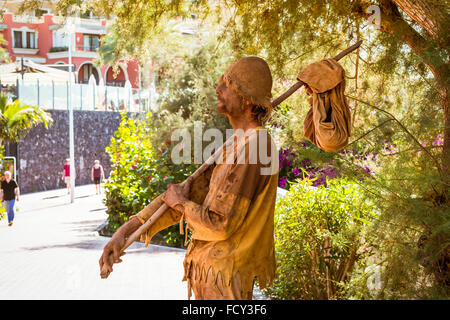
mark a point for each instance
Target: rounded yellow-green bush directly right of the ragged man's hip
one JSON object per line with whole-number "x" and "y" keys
{"x": 319, "y": 239}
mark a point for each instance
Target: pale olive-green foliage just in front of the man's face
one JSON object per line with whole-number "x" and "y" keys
{"x": 190, "y": 86}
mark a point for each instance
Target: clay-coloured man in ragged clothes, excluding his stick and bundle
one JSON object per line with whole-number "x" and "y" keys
{"x": 232, "y": 224}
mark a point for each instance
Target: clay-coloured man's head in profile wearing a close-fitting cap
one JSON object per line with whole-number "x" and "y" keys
{"x": 245, "y": 90}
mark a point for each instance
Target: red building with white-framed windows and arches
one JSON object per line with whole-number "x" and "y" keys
{"x": 40, "y": 36}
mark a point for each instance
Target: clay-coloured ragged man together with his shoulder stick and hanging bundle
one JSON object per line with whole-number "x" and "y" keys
{"x": 229, "y": 203}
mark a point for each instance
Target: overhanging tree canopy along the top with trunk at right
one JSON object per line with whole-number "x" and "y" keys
{"x": 273, "y": 28}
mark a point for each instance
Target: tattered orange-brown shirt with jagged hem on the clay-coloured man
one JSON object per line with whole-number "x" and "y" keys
{"x": 233, "y": 227}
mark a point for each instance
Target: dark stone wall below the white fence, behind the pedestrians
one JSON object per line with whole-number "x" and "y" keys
{"x": 41, "y": 154}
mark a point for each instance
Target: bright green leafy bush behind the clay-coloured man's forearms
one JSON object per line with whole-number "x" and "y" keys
{"x": 139, "y": 174}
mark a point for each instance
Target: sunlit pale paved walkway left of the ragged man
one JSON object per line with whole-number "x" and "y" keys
{"x": 52, "y": 252}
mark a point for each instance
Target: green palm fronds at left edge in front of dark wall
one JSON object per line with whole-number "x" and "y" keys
{"x": 16, "y": 119}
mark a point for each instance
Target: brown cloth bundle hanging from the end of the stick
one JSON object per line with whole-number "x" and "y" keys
{"x": 328, "y": 122}
